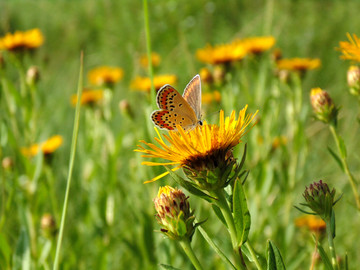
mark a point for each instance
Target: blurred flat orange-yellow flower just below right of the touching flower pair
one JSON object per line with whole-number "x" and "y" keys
{"x": 298, "y": 64}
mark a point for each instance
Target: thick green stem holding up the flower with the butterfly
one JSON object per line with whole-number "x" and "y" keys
{"x": 225, "y": 210}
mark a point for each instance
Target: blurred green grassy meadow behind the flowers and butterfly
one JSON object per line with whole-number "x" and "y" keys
{"x": 110, "y": 221}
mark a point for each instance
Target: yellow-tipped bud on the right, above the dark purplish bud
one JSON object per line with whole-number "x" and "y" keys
{"x": 323, "y": 106}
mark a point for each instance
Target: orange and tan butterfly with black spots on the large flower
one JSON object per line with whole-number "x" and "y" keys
{"x": 175, "y": 109}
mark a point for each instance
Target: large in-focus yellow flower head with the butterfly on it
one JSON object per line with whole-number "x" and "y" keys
{"x": 202, "y": 148}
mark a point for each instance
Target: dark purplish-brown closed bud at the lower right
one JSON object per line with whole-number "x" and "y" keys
{"x": 320, "y": 199}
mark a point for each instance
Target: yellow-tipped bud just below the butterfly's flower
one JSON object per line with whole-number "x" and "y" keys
{"x": 173, "y": 213}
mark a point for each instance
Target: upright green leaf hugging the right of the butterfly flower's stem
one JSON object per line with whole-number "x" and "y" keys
{"x": 242, "y": 217}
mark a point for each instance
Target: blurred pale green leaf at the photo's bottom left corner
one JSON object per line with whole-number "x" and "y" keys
{"x": 21, "y": 259}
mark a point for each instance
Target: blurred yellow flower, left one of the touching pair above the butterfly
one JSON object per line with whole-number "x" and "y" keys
{"x": 222, "y": 54}
